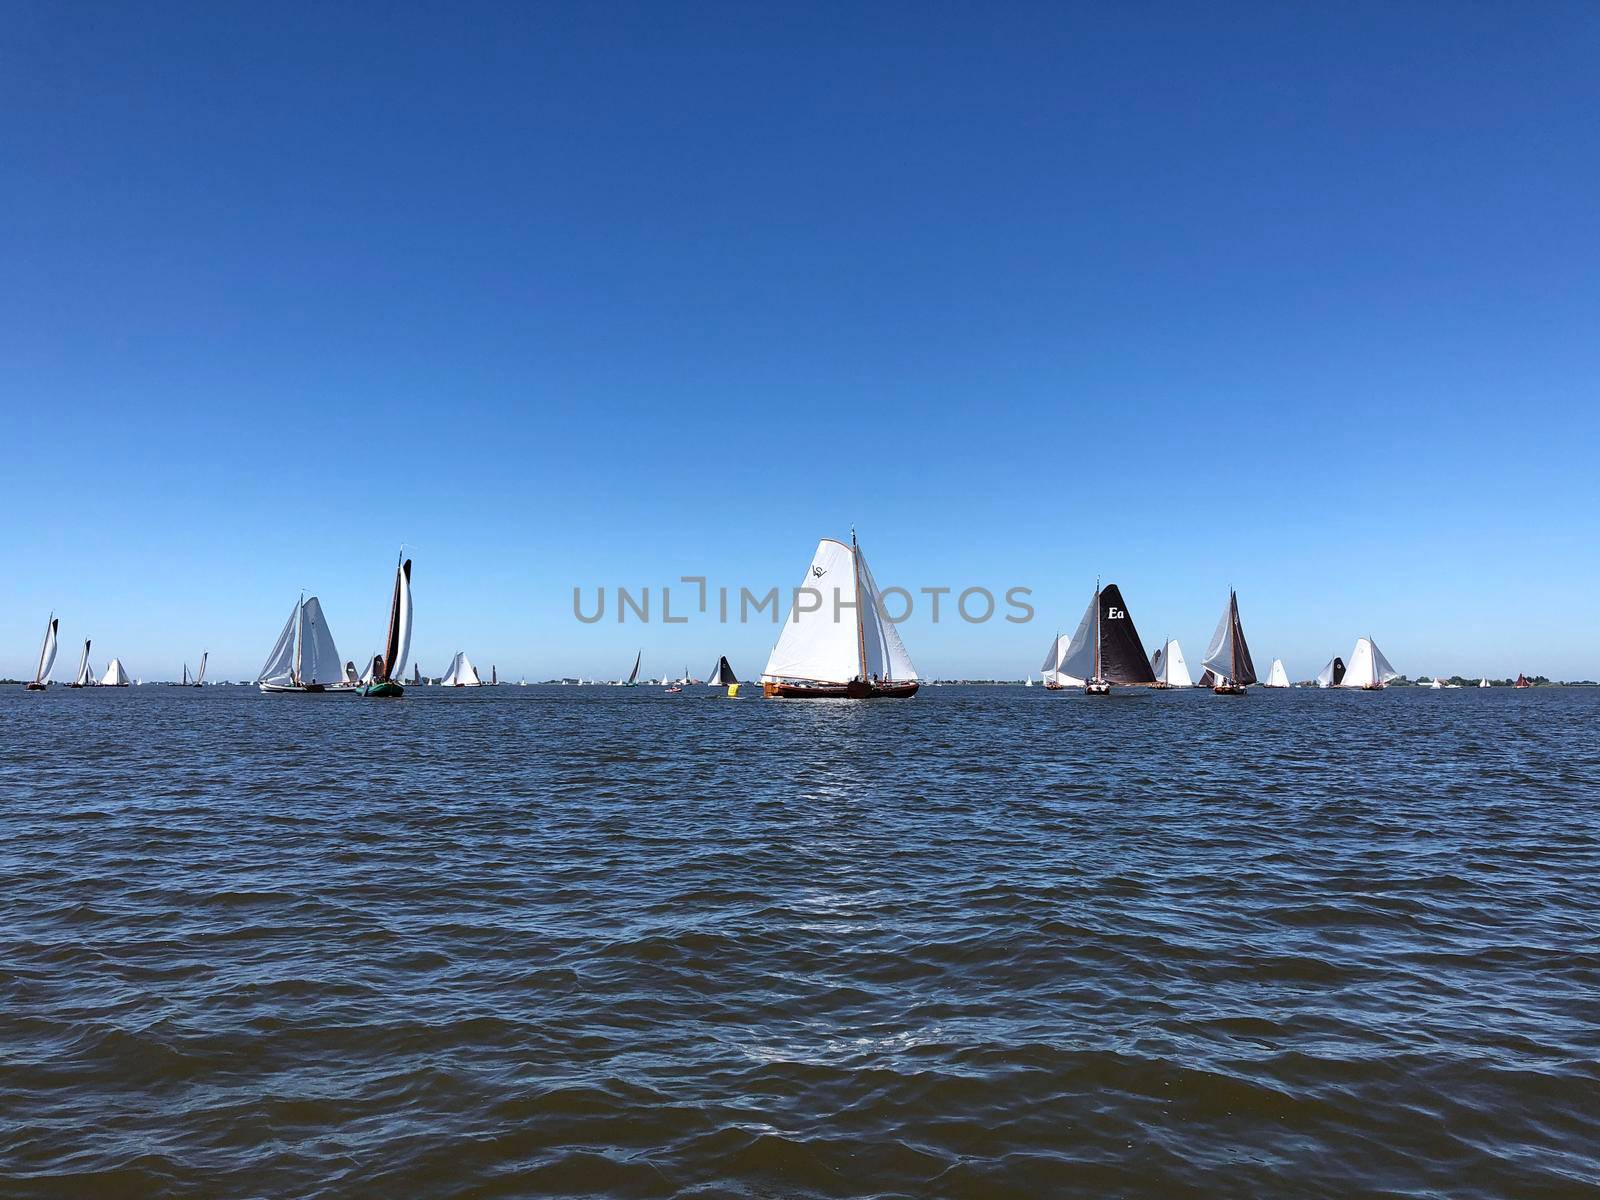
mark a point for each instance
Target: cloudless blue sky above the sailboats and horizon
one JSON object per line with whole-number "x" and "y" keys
{"x": 1302, "y": 300}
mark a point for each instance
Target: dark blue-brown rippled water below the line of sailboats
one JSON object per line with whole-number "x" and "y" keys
{"x": 985, "y": 943}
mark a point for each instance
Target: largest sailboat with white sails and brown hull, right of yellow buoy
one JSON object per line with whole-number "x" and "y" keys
{"x": 822, "y": 654}
